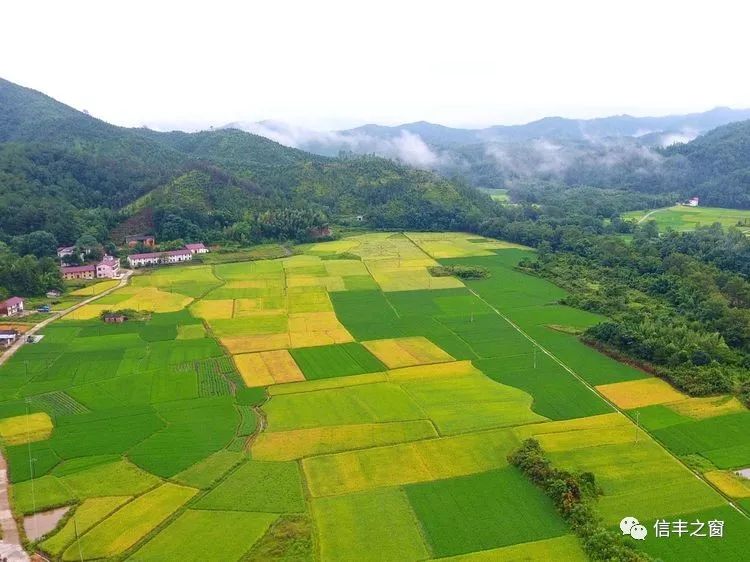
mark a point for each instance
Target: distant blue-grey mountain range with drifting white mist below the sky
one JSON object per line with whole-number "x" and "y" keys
{"x": 611, "y": 151}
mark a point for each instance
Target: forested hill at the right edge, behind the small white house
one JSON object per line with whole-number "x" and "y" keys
{"x": 718, "y": 165}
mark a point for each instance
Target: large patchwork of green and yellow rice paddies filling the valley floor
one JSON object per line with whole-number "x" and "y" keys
{"x": 343, "y": 404}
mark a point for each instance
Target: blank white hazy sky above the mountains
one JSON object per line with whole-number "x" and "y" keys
{"x": 330, "y": 64}
